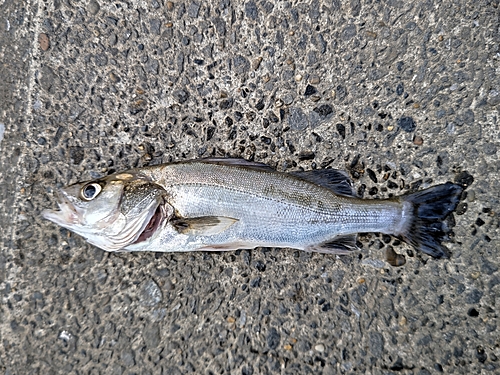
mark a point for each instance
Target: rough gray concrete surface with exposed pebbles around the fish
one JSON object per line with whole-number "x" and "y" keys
{"x": 402, "y": 94}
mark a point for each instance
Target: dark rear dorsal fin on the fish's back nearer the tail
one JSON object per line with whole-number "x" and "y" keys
{"x": 333, "y": 179}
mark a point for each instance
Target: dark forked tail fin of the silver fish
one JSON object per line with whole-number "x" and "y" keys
{"x": 428, "y": 226}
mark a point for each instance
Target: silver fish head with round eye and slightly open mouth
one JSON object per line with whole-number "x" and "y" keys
{"x": 112, "y": 212}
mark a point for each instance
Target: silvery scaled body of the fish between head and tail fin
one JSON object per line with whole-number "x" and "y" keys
{"x": 280, "y": 202}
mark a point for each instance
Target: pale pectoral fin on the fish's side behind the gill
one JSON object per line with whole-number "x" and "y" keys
{"x": 203, "y": 226}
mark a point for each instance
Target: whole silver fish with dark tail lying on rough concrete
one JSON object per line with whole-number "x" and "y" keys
{"x": 224, "y": 204}
